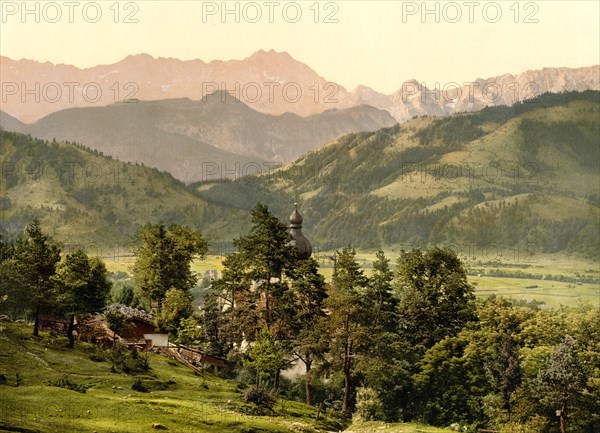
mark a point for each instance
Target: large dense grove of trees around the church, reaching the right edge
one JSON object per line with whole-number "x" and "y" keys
{"x": 405, "y": 344}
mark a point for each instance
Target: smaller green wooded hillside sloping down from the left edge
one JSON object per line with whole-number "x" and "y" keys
{"x": 84, "y": 198}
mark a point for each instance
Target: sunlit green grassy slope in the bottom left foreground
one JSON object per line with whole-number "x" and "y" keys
{"x": 177, "y": 399}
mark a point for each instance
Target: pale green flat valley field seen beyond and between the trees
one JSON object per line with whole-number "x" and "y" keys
{"x": 553, "y": 293}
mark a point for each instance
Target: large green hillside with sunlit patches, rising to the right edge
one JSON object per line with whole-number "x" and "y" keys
{"x": 524, "y": 177}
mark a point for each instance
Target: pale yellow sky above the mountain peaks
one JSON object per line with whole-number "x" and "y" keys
{"x": 376, "y": 43}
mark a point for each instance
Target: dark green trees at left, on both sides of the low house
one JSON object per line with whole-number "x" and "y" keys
{"x": 35, "y": 280}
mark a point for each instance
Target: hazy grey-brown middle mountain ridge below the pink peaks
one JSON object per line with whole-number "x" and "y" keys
{"x": 213, "y": 138}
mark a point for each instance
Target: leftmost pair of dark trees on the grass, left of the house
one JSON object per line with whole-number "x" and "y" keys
{"x": 35, "y": 281}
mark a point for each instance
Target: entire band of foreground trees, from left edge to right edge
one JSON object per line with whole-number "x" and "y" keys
{"x": 403, "y": 343}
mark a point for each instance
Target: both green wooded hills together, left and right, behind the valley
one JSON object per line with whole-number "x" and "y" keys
{"x": 506, "y": 181}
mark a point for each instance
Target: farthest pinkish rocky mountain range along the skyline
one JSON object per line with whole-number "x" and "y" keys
{"x": 269, "y": 82}
